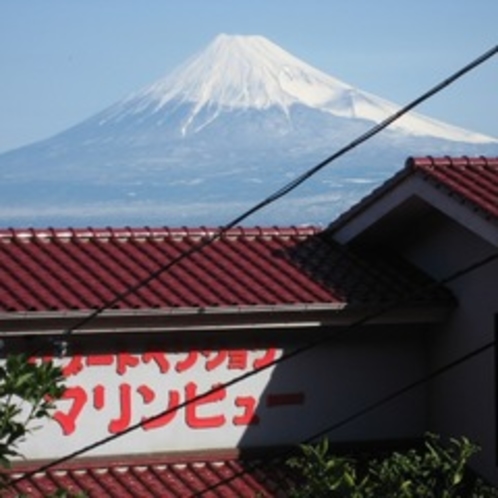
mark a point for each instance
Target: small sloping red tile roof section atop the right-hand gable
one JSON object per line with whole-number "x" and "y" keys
{"x": 473, "y": 179}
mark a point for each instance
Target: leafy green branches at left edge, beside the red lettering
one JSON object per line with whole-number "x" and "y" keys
{"x": 27, "y": 394}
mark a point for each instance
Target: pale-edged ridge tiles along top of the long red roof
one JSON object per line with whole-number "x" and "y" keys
{"x": 146, "y": 232}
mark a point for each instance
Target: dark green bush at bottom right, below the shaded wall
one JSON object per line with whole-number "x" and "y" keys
{"x": 434, "y": 471}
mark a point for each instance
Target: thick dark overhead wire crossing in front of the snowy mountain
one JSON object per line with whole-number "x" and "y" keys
{"x": 286, "y": 189}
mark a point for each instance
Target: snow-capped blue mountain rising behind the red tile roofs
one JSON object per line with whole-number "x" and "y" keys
{"x": 224, "y": 130}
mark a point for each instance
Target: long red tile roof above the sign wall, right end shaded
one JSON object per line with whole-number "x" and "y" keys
{"x": 61, "y": 270}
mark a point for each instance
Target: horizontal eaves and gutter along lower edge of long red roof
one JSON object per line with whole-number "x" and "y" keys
{"x": 220, "y": 319}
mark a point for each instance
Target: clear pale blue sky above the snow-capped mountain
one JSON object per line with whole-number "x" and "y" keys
{"x": 64, "y": 60}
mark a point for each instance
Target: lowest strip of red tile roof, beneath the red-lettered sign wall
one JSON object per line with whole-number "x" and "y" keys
{"x": 226, "y": 477}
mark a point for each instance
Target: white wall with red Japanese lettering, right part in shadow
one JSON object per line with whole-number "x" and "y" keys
{"x": 295, "y": 400}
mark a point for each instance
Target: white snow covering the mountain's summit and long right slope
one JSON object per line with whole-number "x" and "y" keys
{"x": 251, "y": 72}
